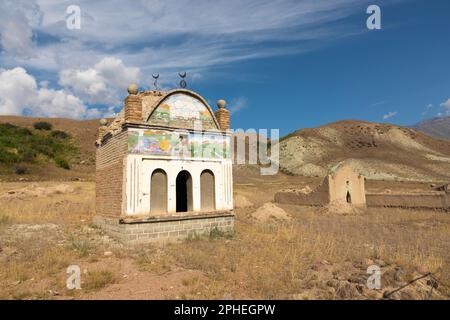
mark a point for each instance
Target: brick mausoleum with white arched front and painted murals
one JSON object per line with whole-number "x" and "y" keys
{"x": 164, "y": 168}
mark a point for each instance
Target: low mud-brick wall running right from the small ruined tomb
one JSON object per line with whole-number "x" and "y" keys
{"x": 425, "y": 201}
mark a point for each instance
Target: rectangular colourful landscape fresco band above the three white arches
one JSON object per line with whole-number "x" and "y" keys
{"x": 179, "y": 144}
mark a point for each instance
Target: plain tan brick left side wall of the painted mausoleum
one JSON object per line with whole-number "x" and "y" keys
{"x": 109, "y": 175}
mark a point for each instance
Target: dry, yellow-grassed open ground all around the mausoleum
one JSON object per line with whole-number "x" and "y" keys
{"x": 299, "y": 253}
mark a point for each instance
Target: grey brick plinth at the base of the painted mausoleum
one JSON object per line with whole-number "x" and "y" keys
{"x": 164, "y": 229}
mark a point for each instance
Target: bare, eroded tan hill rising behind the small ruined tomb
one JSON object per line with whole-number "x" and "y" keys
{"x": 378, "y": 151}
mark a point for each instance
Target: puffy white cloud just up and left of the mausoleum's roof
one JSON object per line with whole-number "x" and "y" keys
{"x": 104, "y": 83}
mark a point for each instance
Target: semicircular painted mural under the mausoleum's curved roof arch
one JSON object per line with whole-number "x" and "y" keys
{"x": 182, "y": 111}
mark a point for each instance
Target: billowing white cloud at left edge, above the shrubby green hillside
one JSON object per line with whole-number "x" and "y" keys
{"x": 20, "y": 94}
